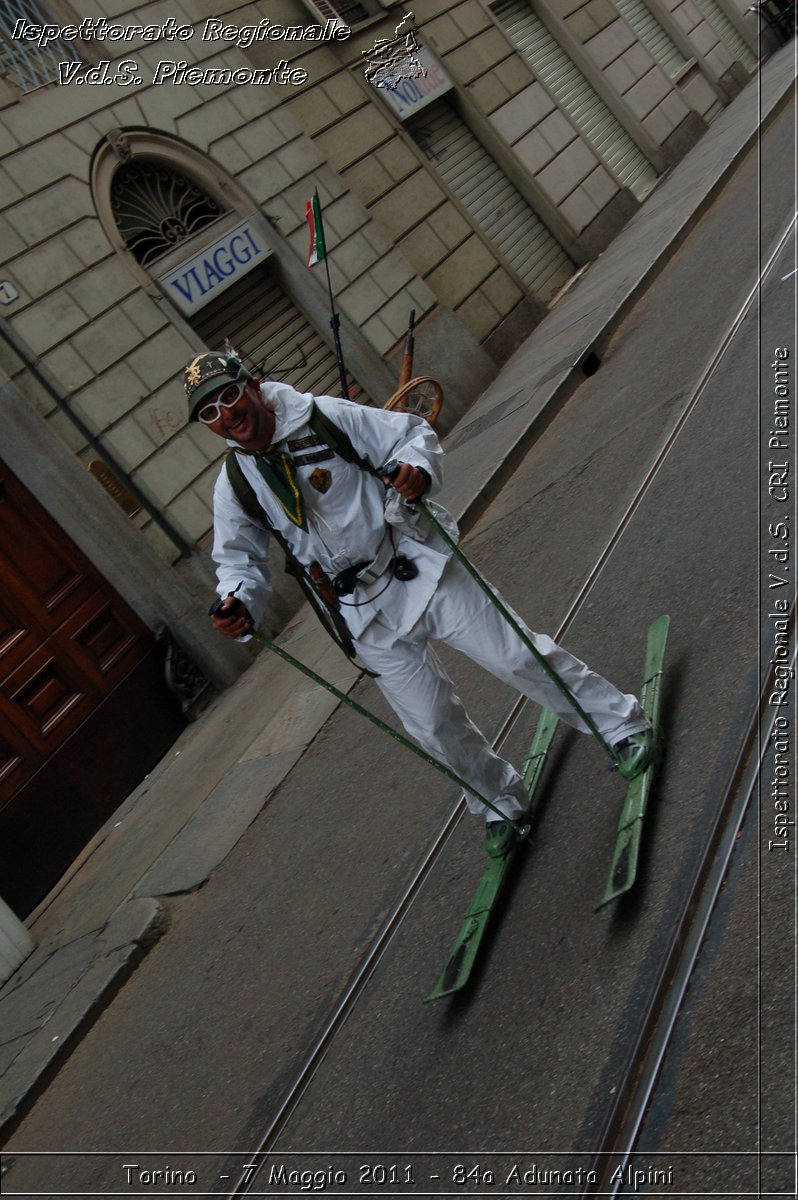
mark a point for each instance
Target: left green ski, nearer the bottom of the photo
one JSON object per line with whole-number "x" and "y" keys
{"x": 466, "y": 949}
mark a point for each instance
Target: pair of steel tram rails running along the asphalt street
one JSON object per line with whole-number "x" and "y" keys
{"x": 625, "y": 1119}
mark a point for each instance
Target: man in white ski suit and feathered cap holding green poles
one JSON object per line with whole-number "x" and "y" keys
{"x": 341, "y": 517}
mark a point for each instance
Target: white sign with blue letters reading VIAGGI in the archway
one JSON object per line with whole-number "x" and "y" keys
{"x": 205, "y": 277}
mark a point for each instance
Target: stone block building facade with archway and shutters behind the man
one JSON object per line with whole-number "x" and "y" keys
{"x": 471, "y": 157}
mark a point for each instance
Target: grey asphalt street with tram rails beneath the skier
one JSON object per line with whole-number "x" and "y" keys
{"x": 197, "y": 1051}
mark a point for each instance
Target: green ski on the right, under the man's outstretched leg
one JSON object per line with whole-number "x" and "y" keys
{"x": 631, "y": 824}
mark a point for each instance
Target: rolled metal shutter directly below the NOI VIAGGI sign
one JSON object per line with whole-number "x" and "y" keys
{"x": 493, "y": 200}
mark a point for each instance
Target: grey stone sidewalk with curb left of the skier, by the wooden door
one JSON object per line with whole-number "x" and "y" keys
{"x": 99, "y": 962}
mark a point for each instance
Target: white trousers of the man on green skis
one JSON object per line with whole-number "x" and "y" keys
{"x": 416, "y": 685}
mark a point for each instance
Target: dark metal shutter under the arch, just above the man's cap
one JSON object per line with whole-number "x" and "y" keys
{"x": 266, "y": 327}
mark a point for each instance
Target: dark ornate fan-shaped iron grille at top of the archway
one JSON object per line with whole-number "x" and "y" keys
{"x": 157, "y": 208}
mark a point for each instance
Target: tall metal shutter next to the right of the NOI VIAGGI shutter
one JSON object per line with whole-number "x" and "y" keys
{"x": 550, "y": 63}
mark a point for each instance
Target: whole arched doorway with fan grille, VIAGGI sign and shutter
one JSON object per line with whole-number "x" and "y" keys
{"x": 189, "y": 231}
